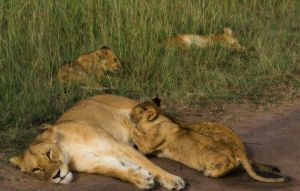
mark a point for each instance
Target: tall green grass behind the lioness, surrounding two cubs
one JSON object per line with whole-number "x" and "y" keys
{"x": 37, "y": 37}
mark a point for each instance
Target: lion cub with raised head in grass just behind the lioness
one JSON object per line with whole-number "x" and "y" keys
{"x": 88, "y": 65}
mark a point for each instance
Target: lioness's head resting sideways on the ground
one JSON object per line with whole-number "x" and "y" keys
{"x": 44, "y": 159}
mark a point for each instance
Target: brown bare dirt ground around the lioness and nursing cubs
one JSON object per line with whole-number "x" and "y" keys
{"x": 271, "y": 136}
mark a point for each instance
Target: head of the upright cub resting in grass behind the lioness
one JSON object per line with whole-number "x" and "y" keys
{"x": 107, "y": 59}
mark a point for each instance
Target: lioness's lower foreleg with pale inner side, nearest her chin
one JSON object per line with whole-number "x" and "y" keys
{"x": 124, "y": 170}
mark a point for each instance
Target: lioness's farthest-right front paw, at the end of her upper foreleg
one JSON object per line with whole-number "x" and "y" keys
{"x": 172, "y": 182}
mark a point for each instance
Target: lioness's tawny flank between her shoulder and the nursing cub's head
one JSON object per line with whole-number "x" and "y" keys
{"x": 105, "y": 111}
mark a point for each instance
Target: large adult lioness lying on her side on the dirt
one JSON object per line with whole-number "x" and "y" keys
{"x": 90, "y": 138}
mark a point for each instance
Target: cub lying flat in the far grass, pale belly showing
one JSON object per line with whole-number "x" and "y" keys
{"x": 184, "y": 41}
